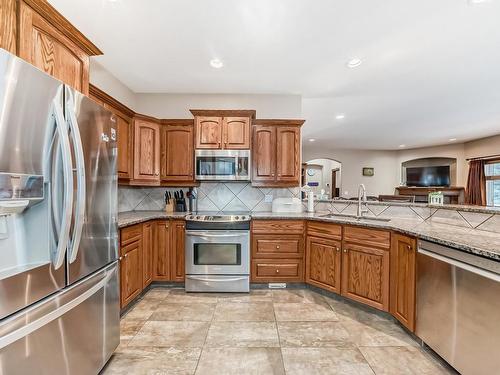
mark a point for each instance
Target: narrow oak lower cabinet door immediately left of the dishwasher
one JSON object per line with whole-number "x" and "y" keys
{"x": 403, "y": 280}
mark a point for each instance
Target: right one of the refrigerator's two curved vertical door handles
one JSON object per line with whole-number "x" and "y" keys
{"x": 80, "y": 177}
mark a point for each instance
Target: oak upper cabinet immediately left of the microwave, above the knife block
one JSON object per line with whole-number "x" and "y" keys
{"x": 177, "y": 153}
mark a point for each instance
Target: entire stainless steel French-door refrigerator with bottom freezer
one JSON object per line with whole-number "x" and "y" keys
{"x": 59, "y": 296}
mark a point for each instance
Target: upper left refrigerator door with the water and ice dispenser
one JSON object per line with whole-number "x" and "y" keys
{"x": 34, "y": 147}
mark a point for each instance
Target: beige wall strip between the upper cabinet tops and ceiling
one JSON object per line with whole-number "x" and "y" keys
{"x": 178, "y": 105}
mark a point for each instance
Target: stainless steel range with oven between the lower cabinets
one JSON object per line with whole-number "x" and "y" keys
{"x": 218, "y": 253}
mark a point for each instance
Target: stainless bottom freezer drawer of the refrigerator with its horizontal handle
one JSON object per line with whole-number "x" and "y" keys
{"x": 74, "y": 332}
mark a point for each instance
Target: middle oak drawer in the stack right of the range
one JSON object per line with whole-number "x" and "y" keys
{"x": 277, "y": 246}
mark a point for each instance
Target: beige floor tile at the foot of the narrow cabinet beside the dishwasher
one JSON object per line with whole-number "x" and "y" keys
{"x": 378, "y": 333}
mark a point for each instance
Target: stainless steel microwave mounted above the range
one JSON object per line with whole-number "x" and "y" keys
{"x": 222, "y": 165}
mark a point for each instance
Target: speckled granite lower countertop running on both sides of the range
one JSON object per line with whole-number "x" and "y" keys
{"x": 475, "y": 241}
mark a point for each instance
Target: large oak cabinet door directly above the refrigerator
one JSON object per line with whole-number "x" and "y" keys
{"x": 42, "y": 45}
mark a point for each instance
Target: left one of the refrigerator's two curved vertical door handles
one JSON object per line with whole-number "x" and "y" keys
{"x": 67, "y": 164}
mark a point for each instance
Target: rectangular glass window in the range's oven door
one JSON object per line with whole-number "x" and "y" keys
{"x": 209, "y": 254}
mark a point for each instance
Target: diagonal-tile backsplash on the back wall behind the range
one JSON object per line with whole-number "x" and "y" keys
{"x": 212, "y": 196}
